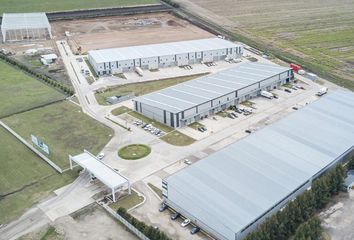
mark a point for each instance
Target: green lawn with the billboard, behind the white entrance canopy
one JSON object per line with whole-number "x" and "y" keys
{"x": 64, "y": 128}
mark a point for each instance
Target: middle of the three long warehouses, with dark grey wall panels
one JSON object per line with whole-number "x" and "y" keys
{"x": 182, "y": 104}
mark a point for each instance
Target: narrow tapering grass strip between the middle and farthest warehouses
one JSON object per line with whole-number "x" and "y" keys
{"x": 142, "y": 88}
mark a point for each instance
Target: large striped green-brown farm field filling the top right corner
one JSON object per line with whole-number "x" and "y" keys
{"x": 316, "y": 34}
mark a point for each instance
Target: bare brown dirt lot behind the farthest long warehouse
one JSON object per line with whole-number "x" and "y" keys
{"x": 122, "y": 31}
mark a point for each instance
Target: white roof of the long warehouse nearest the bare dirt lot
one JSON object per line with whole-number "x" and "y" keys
{"x": 162, "y": 49}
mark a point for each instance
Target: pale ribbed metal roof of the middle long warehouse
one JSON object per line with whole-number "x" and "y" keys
{"x": 189, "y": 94}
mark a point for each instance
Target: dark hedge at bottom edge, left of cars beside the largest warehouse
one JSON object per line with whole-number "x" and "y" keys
{"x": 149, "y": 231}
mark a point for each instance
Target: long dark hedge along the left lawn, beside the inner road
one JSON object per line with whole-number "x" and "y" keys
{"x": 51, "y": 82}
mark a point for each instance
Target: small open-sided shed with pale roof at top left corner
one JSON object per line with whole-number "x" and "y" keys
{"x": 25, "y": 26}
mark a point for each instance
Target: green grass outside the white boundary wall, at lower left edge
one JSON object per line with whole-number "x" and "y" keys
{"x": 26, "y": 176}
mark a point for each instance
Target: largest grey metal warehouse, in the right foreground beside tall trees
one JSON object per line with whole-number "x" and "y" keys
{"x": 229, "y": 193}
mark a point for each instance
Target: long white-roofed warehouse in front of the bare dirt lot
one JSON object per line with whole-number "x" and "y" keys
{"x": 154, "y": 56}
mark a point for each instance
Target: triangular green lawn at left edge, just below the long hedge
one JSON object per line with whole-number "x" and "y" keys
{"x": 19, "y": 92}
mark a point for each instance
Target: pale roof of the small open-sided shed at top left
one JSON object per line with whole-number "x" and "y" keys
{"x": 24, "y": 21}
